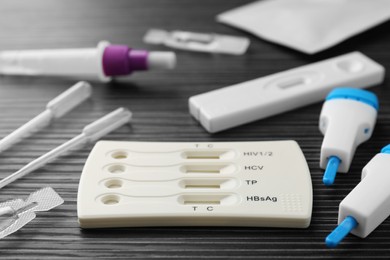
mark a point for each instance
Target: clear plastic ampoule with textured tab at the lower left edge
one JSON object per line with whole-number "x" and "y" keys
{"x": 14, "y": 214}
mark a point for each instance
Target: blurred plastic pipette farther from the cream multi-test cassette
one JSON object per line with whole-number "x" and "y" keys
{"x": 56, "y": 108}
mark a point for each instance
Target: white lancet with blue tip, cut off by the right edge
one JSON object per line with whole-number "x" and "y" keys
{"x": 368, "y": 204}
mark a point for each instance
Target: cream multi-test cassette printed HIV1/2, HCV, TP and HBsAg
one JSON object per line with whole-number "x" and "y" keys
{"x": 132, "y": 184}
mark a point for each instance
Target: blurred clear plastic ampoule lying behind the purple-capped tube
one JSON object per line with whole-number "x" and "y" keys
{"x": 201, "y": 42}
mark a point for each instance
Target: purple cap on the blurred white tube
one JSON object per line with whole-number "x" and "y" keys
{"x": 120, "y": 60}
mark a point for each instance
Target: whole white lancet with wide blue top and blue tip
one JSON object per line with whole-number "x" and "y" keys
{"x": 347, "y": 119}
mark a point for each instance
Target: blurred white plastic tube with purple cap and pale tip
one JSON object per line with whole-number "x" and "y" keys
{"x": 103, "y": 62}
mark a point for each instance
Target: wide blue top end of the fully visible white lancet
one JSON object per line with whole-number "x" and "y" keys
{"x": 361, "y": 95}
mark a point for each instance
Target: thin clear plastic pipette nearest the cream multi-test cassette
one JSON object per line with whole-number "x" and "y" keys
{"x": 90, "y": 133}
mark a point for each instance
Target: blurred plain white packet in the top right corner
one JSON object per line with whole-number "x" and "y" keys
{"x": 308, "y": 26}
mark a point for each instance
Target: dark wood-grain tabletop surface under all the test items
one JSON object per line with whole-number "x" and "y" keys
{"x": 159, "y": 102}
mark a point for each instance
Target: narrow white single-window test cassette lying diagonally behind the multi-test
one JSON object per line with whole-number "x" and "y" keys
{"x": 263, "y": 97}
